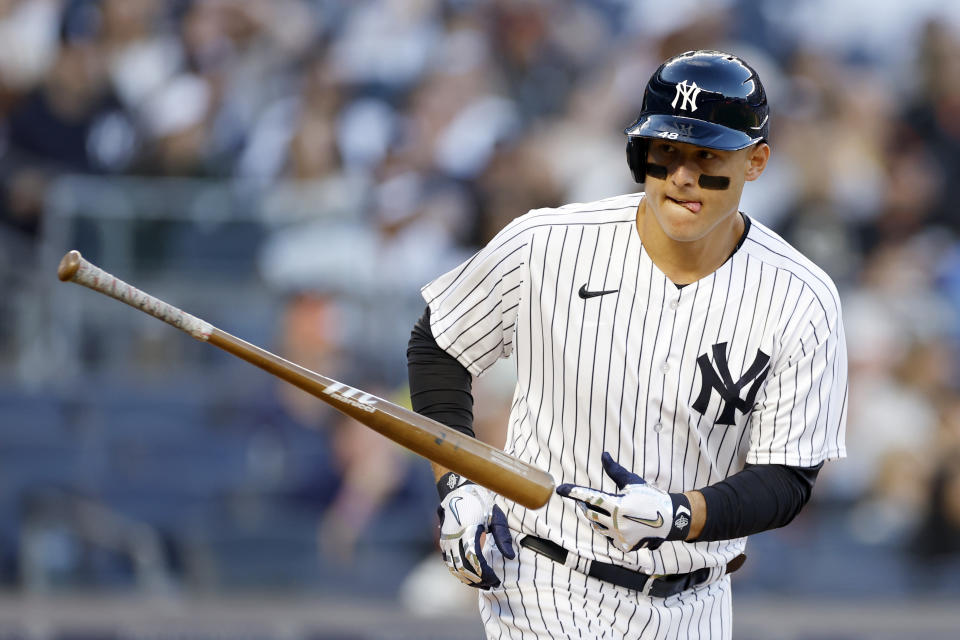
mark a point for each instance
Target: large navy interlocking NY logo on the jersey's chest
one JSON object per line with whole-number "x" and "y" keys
{"x": 719, "y": 379}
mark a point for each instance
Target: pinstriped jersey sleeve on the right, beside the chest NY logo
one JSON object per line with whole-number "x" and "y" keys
{"x": 800, "y": 417}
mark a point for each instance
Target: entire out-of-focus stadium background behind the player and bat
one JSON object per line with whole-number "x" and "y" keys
{"x": 293, "y": 171}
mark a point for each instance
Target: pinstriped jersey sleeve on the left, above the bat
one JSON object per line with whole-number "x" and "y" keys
{"x": 473, "y": 307}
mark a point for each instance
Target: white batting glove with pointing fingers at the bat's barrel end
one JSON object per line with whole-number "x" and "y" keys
{"x": 642, "y": 516}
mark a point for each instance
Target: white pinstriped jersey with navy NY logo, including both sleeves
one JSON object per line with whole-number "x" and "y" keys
{"x": 682, "y": 385}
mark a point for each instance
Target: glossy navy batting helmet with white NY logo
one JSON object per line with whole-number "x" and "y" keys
{"x": 707, "y": 98}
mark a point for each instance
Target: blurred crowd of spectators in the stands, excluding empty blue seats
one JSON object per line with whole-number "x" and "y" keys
{"x": 385, "y": 140}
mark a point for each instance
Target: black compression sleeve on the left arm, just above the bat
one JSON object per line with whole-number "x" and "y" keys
{"x": 440, "y": 387}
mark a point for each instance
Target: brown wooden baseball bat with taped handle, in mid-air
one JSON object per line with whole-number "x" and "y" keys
{"x": 480, "y": 462}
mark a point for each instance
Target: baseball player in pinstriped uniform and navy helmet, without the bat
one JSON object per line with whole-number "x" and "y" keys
{"x": 681, "y": 370}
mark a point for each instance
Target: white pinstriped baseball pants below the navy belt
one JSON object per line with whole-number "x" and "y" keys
{"x": 540, "y": 599}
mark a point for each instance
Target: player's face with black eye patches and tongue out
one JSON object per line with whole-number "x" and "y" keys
{"x": 685, "y": 210}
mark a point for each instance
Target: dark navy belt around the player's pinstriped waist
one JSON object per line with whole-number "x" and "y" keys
{"x": 658, "y": 586}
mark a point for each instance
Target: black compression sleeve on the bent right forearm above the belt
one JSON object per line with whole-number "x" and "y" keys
{"x": 759, "y": 498}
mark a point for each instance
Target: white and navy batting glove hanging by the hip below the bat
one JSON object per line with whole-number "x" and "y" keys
{"x": 467, "y": 512}
